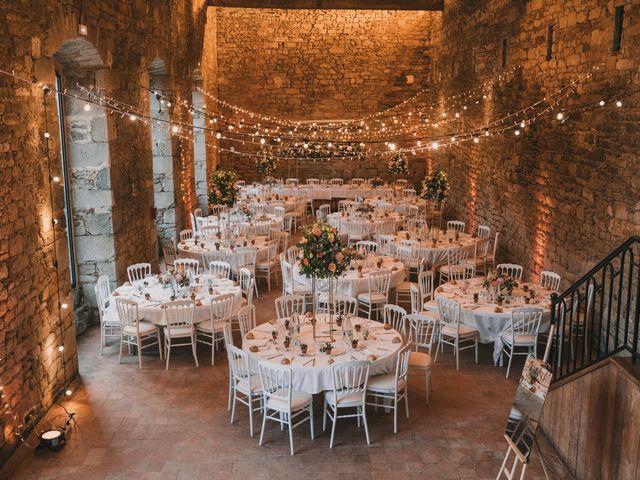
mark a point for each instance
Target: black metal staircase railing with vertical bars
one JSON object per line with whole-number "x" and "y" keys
{"x": 598, "y": 316}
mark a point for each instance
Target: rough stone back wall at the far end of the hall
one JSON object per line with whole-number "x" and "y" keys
{"x": 320, "y": 64}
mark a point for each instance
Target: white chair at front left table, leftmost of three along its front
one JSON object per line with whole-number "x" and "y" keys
{"x": 134, "y": 332}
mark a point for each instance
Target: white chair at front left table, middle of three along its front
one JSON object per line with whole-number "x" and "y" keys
{"x": 179, "y": 330}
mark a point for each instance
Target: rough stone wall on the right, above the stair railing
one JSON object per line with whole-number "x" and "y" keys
{"x": 561, "y": 195}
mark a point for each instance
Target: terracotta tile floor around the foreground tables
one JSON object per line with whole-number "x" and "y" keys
{"x": 157, "y": 424}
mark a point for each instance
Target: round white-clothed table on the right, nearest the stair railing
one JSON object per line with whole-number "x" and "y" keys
{"x": 490, "y": 319}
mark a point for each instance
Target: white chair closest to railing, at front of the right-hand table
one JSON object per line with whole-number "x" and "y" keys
{"x": 522, "y": 333}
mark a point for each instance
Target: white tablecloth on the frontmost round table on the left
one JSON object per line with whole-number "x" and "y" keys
{"x": 151, "y": 310}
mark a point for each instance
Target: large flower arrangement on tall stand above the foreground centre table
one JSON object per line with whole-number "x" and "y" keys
{"x": 322, "y": 255}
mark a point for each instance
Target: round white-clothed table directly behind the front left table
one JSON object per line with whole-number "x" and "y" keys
{"x": 189, "y": 249}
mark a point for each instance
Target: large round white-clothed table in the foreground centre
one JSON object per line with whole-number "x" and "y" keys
{"x": 312, "y": 371}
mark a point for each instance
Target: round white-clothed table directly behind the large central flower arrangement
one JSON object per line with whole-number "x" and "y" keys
{"x": 352, "y": 283}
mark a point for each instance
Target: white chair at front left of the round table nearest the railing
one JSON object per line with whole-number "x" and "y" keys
{"x": 453, "y": 332}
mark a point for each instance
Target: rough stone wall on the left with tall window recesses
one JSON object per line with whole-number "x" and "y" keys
{"x": 127, "y": 36}
